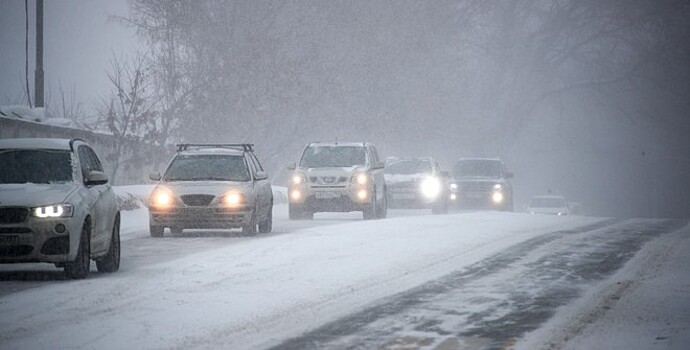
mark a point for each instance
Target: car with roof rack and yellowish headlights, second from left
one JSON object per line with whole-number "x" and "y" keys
{"x": 209, "y": 186}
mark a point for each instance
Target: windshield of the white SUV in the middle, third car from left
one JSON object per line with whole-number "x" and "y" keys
{"x": 333, "y": 157}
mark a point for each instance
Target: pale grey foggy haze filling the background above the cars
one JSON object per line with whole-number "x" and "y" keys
{"x": 588, "y": 99}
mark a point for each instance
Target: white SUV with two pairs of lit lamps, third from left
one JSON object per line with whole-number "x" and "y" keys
{"x": 337, "y": 177}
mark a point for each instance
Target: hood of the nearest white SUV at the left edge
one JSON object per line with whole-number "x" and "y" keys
{"x": 33, "y": 195}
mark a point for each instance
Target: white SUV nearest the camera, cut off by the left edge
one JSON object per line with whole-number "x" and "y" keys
{"x": 56, "y": 206}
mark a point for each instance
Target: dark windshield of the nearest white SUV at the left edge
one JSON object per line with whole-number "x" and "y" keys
{"x": 35, "y": 166}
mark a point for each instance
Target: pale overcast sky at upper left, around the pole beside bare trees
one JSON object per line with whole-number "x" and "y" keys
{"x": 80, "y": 37}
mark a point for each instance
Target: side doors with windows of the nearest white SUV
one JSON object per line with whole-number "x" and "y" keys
{"x": 100, "y": 201}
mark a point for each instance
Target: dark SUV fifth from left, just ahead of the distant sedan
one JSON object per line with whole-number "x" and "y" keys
{"x": 482, "y": 183}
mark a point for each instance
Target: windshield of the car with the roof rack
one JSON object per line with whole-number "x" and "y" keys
{"x": 207, "y": 167}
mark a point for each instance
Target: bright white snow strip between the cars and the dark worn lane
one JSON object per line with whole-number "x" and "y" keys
{"x": 256, "y": 291}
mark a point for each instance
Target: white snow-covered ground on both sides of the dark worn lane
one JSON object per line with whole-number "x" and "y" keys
{"x": 254, "y": 292}
